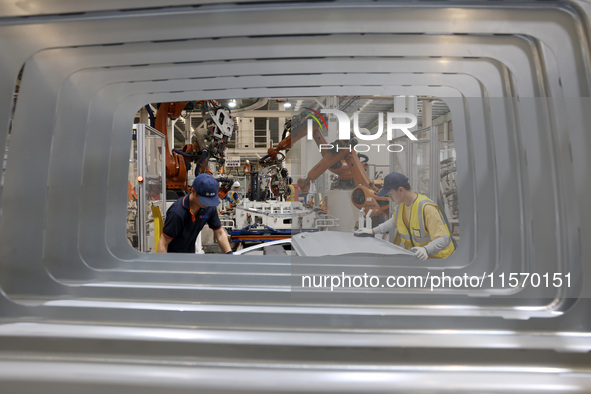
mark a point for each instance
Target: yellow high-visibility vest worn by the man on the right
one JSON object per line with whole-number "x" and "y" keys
{"x": 416, "y": 234}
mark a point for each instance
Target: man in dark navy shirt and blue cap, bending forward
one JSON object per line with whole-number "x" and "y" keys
{"x": 186, "y": 217}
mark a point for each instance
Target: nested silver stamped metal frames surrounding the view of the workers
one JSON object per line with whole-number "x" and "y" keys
{"x": 80, "y": 310}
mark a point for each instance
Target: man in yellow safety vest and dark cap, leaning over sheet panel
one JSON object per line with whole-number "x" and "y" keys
{"x": 420, "y": 225}
